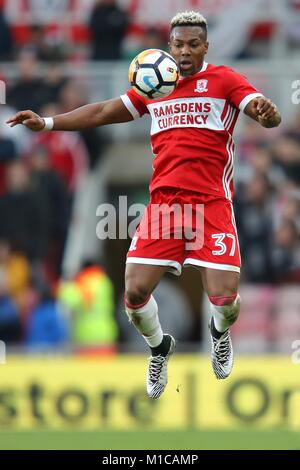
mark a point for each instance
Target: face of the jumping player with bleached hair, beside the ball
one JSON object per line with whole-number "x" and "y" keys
{"x": 188, "y": 46}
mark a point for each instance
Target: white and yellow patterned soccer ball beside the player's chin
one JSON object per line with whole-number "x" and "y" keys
{"x": 153, "y": 74}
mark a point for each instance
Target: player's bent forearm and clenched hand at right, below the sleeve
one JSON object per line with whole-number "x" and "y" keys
{"x": 265, "y": 112}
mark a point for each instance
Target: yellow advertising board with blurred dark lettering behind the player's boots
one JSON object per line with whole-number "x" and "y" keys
{"x": 109, "y": 393}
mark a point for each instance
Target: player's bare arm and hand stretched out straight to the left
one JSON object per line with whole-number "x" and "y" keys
{"x": 86, "y": 117}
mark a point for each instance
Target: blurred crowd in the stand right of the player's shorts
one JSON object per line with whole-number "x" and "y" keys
{"x": 268, "y": 202}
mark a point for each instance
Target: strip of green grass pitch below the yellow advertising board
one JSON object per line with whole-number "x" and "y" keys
{"x": 150, "y": 440}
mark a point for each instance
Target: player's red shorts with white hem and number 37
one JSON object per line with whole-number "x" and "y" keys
{"x": 181, "y": 228}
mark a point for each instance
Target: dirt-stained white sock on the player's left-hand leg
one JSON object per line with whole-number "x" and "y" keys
{"x": 146, "y": 321}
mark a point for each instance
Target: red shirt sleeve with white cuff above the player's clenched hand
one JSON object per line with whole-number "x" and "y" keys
{"x": 238, "y": 90}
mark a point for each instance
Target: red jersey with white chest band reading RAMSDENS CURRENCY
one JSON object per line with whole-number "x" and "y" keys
{"x": 191, "y": 131}
